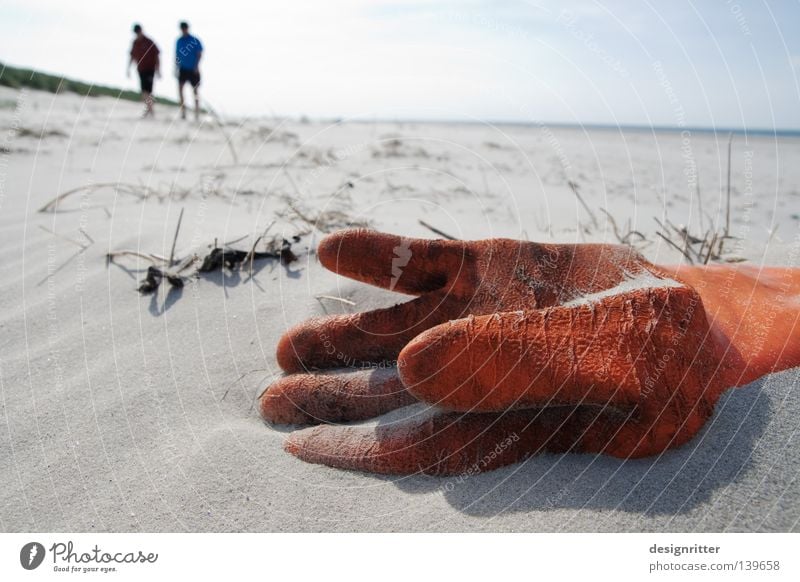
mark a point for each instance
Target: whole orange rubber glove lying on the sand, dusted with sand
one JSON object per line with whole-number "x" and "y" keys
{"x": 524, "y": 348}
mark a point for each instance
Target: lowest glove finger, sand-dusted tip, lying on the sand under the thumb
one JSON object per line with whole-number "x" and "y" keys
{"x": 447, "y": 443}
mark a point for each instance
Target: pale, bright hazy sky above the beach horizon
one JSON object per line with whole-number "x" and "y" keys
{"x": 700, "y": 63}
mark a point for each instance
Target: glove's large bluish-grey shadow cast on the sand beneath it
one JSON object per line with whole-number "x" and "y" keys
{"x": 673, "y": 483}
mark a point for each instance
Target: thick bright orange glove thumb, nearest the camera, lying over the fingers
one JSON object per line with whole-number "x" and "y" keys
{"x": 597, "y": 352}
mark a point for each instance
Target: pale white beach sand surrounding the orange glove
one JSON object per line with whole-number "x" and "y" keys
{"x": 121, "y": 412}
